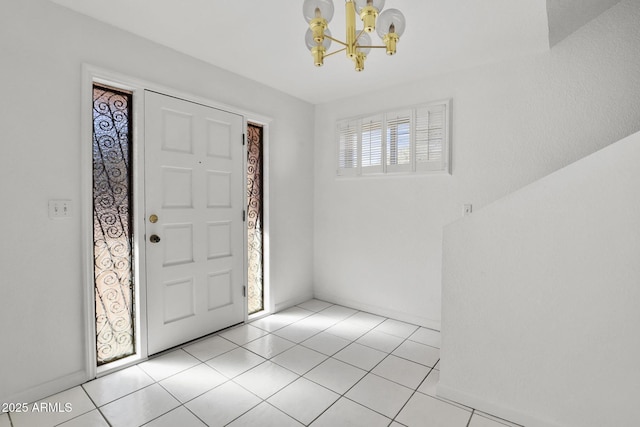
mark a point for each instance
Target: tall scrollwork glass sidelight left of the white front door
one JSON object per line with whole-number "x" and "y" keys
{"x": 112, "y": 224}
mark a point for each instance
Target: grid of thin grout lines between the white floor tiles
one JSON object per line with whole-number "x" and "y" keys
{"x": 327, "y": 316}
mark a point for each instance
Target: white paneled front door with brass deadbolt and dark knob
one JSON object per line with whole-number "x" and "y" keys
{"x": 194, "y": 185}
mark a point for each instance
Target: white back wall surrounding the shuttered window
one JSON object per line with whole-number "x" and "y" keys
{"x": 378, "y": 241}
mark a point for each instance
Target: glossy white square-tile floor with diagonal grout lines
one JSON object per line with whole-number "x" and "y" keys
{"x": 315, "y": 364}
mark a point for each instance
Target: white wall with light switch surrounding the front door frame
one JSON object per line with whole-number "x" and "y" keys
{"x": 42, "y": 47}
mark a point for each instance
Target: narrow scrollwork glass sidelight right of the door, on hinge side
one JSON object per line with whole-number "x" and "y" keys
{"x": 254, "y": 218}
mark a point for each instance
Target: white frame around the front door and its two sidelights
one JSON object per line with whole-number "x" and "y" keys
{"x": 90, "y": 75}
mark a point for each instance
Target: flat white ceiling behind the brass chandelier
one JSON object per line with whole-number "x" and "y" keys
{"x": 264, "y": 40}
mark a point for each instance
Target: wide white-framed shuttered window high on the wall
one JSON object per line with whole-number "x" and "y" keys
{"x": 403, "y": 141}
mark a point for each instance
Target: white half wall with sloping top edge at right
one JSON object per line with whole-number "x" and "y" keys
{"x": 540, "y": 298}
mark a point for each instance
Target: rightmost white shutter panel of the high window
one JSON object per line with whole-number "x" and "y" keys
{"x": 431, "y": 136}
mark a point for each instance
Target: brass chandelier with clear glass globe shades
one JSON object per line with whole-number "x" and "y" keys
{"x": 390, "y": 25}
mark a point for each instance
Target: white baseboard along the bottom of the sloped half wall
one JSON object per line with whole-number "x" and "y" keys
{"x": 492, "y": 408}
